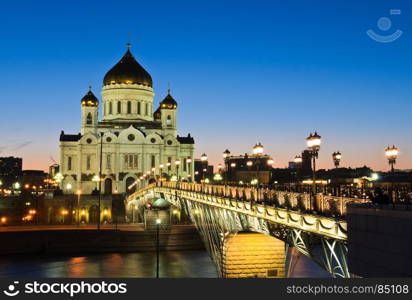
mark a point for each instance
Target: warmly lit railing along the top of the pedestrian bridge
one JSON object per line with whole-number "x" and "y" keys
{"x": 322, "y": 204}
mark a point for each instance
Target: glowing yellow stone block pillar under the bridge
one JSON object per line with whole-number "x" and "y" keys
{"x": 248, "y": 254}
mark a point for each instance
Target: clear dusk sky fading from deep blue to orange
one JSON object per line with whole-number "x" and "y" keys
{"x": 242, "y": 72}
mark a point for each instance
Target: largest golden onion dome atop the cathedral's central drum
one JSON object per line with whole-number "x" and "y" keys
{"x": 129, "y": 71}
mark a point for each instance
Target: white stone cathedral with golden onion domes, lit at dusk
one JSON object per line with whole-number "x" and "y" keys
{"x": 129, "y": 140}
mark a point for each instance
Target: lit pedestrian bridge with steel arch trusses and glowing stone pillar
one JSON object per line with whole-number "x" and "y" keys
{"x": 237, "y": 223}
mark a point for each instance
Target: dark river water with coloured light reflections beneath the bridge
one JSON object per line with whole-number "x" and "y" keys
{"x": 173, "y": 264}
